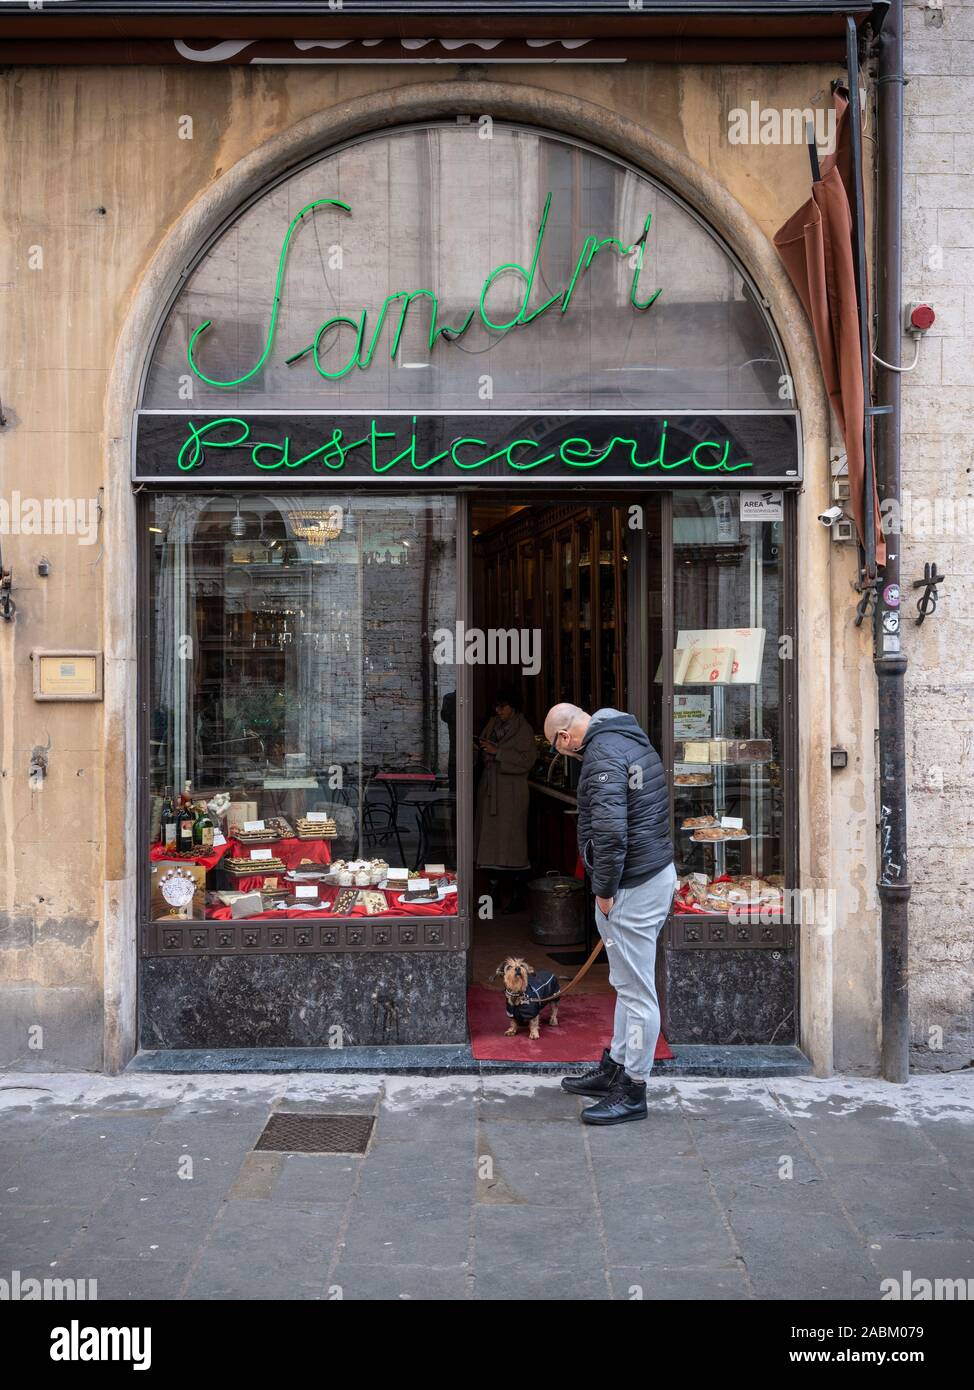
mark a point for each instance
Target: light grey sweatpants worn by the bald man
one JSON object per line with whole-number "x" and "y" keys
{"x": 630, "y": 933}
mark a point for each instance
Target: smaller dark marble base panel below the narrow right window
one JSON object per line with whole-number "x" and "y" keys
{"x": 732, "y": 997}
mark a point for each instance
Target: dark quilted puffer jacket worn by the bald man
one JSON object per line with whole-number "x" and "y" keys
{"x": 623, "y": 806}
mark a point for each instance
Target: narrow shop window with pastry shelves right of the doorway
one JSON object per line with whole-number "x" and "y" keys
{"x": 729, "y": 705}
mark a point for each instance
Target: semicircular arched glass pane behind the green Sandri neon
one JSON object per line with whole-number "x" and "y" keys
{"x": 434, "y": 213}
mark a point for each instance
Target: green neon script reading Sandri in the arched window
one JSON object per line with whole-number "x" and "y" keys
{"x": 366, "y": 344}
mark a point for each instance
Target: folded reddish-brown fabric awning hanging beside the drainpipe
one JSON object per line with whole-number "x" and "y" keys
{"x": 816, "y": 245}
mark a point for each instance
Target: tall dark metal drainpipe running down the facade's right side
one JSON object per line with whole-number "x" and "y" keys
{"x": 889, "y": 658}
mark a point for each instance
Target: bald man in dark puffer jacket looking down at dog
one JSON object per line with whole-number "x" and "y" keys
{"x": 626, "y": 847}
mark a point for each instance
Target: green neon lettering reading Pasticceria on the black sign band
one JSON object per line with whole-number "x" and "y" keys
{"x": 466, "y": 454}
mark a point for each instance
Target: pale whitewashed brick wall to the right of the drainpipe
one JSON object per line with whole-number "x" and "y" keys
{"x": 939, "y": 468}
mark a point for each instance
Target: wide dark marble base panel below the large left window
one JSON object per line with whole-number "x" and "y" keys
{"x": 290, "y": 1000}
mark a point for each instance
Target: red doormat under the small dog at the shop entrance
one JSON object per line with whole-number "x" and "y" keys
{"x": 586, "y": 1027}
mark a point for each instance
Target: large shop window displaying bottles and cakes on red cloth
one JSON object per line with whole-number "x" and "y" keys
{"x": 299, "y": 707}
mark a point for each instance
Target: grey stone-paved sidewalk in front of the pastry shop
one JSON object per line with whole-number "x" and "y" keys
{"x": 487, "y": 1188}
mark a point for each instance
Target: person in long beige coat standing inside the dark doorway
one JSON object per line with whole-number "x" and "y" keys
{"x": 501, "y": 835}
